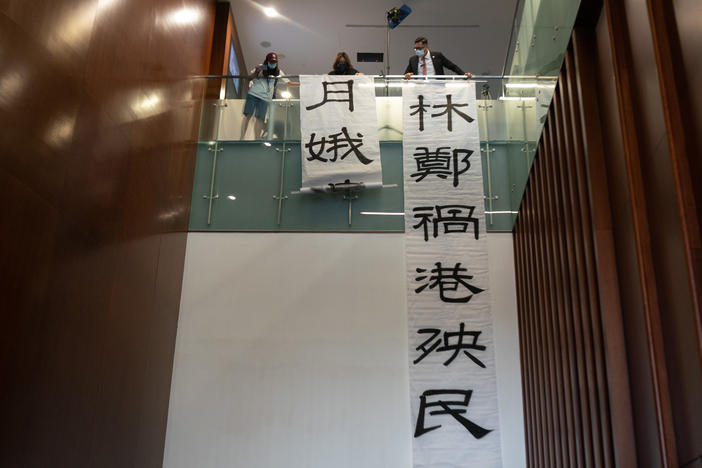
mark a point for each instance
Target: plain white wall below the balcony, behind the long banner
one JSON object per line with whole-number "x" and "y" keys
{"x": 292, "y": 351}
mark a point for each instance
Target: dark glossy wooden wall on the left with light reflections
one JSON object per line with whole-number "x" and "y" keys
{"x": 98, "y": 122}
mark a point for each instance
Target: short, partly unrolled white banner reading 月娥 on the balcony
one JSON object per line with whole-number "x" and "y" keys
{"x": 339, "y": 131}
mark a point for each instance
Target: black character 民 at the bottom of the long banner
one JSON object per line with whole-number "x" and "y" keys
{"x": 442, "y": 399}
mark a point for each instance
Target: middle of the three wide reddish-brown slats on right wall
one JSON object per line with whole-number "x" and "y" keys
{"x": 618, "y": 30}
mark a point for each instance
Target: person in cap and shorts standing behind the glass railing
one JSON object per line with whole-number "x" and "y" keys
{"x": 264, "y": 80}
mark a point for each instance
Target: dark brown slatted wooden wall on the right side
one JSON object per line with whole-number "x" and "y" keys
{"x": 607, "y": 233}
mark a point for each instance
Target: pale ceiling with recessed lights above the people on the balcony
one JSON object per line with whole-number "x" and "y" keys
{"x": 474, "y": 34}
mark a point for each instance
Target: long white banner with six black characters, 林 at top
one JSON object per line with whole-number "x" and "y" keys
{"x": 453, "y": 392}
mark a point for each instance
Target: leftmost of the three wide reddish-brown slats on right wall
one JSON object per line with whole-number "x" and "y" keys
{"x": 584, "y": 115}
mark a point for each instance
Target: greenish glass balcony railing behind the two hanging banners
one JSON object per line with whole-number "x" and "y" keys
{"x": 250, "y": 182}
